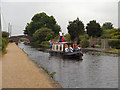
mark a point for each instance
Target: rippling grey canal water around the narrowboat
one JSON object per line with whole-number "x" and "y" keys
{"x": 92, "y": 72}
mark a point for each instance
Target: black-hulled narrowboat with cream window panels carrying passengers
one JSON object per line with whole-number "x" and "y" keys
{"x": 58, "y": 48}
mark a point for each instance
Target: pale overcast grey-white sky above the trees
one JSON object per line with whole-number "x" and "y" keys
{"x": 19, "y": 12}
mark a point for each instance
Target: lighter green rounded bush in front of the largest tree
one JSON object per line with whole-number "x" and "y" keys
{"x": 43, "y": 34}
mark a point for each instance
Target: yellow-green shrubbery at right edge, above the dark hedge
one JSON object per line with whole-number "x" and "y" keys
{"x": 111, "y": 34}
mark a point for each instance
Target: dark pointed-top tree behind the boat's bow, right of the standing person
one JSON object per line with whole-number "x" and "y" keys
{"x": 75, "y": 28}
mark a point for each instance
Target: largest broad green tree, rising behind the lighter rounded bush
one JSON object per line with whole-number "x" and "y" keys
{"x": 42, "y": 20}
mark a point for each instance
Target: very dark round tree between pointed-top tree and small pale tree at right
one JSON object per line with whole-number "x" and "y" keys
{"x": 94, "y": 29}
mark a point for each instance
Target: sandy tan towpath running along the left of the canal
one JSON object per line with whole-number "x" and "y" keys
{"x": 18, "y": 71}
